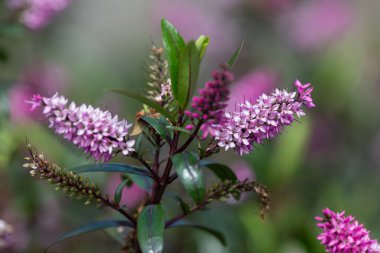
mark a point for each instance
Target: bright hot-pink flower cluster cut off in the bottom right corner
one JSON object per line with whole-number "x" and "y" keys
{"x": 344, "y": 234}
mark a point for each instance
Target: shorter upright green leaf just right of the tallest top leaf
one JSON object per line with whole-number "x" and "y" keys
{"x": 189, "y": 62}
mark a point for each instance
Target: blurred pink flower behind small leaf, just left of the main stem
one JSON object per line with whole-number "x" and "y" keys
{"x": 132, "y": 197}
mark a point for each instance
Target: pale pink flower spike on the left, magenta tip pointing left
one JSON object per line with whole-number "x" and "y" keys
{"x": 97, "y": 132}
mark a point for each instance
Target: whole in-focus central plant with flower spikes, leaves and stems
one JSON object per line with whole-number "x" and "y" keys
{"x": 174, "y": 137}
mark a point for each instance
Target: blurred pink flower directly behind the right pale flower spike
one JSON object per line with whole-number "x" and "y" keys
{"x": 251, "y": 86}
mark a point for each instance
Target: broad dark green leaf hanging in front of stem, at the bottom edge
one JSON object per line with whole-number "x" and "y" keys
{"x": 150, "y": 229}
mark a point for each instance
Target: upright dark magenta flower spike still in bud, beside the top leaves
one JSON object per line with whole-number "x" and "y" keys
{"x": 212, "y": 100}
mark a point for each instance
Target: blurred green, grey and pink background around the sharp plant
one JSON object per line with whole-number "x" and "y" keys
{"x": 331, "y": 158}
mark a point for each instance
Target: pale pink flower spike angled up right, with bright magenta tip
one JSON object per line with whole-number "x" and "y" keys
{"x": 252, "y": 123}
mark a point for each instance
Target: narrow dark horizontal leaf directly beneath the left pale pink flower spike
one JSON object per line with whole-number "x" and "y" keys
{"x": 111, "y": 167}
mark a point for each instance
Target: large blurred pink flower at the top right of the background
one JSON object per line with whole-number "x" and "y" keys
{"x": 311, "y": 24}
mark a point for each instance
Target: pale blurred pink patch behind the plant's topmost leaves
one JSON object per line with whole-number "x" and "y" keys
{"x": 193, "y": 18}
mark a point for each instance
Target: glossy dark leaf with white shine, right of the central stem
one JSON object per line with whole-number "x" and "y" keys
{"x": 187, "y": 167}
